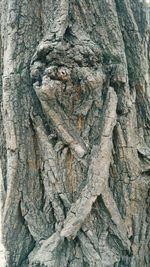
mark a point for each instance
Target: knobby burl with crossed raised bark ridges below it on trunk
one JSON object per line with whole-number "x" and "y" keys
{"x": 69, "y": 82}
